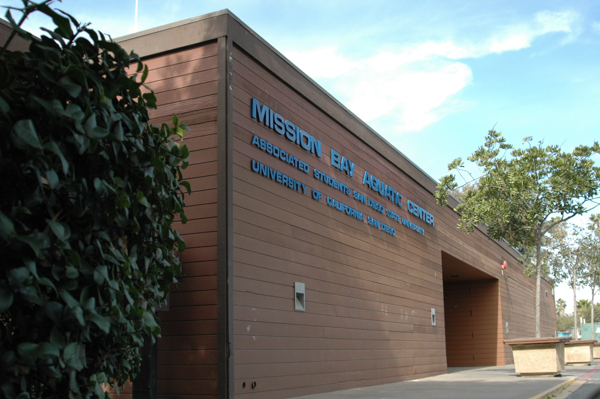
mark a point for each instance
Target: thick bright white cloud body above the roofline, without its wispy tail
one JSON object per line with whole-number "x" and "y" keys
{"x": 410, "y": 85}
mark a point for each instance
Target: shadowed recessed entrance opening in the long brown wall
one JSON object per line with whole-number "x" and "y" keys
{"x": 472, "y": 315}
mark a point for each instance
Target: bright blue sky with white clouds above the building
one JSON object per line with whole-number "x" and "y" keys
{"x": 430, "y": 76}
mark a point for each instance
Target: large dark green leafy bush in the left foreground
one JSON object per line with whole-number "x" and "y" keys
{"x": 89, "y": 195}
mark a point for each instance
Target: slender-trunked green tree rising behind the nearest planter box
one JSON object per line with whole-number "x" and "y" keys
{"x": 521, "y": 190}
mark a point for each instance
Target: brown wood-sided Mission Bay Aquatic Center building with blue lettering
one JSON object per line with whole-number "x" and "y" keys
{"x": 290, "y": 187}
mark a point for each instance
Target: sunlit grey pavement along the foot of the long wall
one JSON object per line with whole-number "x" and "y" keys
{"x": 501, "y": 382}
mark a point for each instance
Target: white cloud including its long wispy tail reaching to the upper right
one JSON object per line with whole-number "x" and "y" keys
{"x": 416, "y": 85}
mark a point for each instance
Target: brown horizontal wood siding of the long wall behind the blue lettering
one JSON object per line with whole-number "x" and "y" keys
{"x": 368, "y": 294}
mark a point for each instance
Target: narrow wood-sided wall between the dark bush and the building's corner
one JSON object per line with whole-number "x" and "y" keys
{"x": 185, "y": 83}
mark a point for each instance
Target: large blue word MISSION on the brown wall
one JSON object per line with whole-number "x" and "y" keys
{"x": 293, "y": 133}
